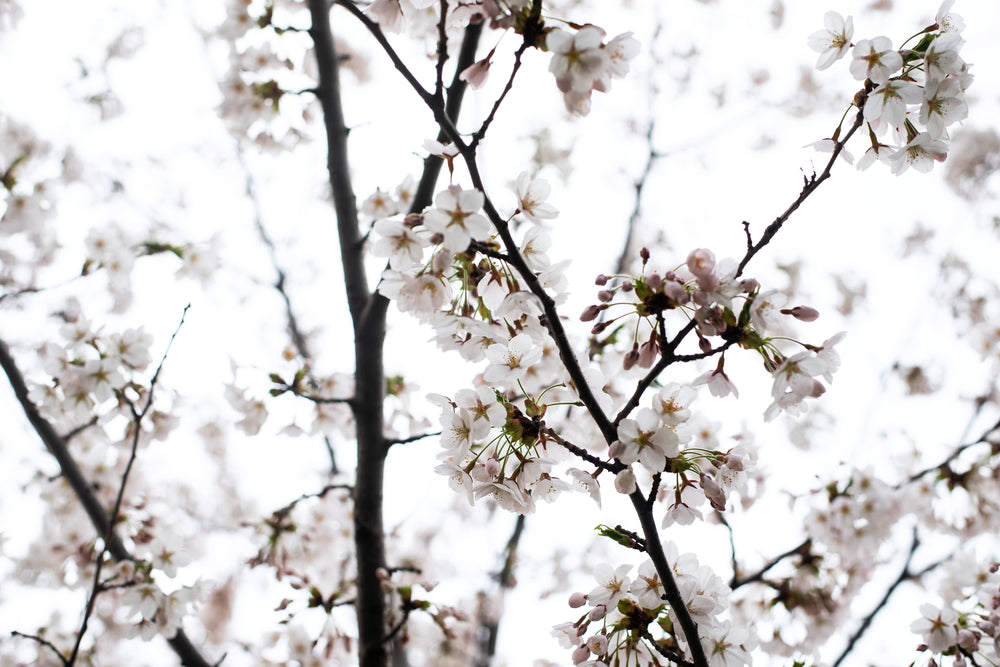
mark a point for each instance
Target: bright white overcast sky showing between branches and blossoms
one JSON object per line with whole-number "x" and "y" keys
{"x": 738, "y": 161}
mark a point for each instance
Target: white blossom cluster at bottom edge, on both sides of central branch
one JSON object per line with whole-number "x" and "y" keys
{"x": 625, "y": 615}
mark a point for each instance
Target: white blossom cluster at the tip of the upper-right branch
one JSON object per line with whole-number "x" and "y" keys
{"x": 906, "y": 89}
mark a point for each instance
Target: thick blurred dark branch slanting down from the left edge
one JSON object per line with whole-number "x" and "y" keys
{"x": 57, "y": 446}
